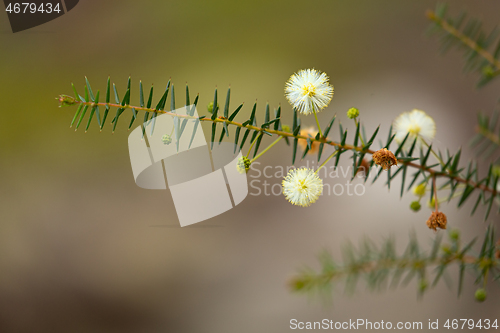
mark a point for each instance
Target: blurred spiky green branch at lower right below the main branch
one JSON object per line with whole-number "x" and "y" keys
{"x": 382, "y": 267}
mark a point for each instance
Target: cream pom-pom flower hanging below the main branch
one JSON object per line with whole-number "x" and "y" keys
{"x": 302, "y": 187}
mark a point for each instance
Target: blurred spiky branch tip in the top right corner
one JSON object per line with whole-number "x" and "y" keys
{"x": 481, "y": 49}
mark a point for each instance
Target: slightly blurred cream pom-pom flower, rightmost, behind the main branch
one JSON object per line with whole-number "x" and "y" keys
{"x": 418, "y": 124}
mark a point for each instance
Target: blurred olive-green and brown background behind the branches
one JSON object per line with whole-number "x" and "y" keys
{"x": 83, "y": 249}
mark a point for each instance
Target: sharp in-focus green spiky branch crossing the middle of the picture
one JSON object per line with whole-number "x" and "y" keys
{"x": 459, "y": 181}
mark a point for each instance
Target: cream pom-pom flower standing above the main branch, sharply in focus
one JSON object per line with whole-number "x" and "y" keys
{"x": 308, "y": 91}
